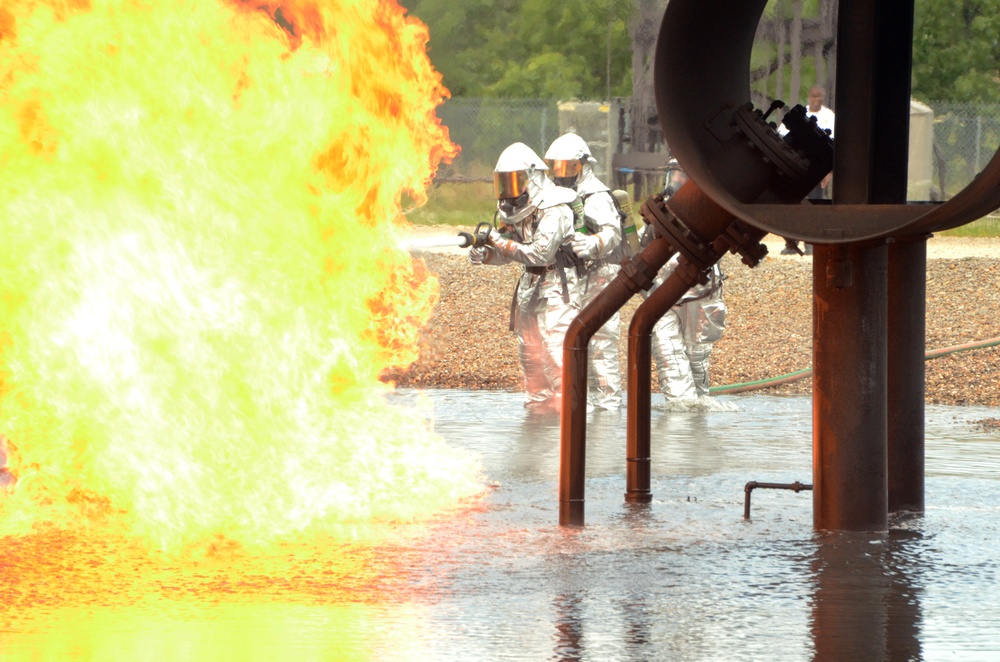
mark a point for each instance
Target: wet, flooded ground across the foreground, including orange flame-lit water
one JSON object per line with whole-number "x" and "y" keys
{"x": 685, "y": 577}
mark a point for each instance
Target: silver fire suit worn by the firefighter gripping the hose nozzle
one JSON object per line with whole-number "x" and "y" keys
{"x": 546, "y": 299}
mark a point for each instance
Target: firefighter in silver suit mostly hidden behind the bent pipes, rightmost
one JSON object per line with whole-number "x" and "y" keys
{"x": 684, "y": 336}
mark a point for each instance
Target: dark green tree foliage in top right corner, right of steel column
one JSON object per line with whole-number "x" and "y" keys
{"x": 956, "y": 50}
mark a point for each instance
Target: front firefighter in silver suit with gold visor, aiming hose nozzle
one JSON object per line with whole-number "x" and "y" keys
{"x": 534, "y": 221}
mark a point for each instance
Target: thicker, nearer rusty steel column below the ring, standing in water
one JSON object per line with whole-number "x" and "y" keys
{"x": 849, "y": 387}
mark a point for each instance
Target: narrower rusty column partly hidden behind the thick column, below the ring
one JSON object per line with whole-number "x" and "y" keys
{"x": 905, "y": 398}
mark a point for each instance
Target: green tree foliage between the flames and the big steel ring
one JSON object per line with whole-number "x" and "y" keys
{"x": 513, "y": 48}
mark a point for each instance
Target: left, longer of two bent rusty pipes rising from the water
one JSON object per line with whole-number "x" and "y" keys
{"x": 636, "y": 274}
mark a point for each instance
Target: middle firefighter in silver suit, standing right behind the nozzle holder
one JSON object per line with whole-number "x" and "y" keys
{"x": 596, "y": 241}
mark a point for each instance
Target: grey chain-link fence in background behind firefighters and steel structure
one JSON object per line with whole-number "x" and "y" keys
{"x": 964, "y": 137}
